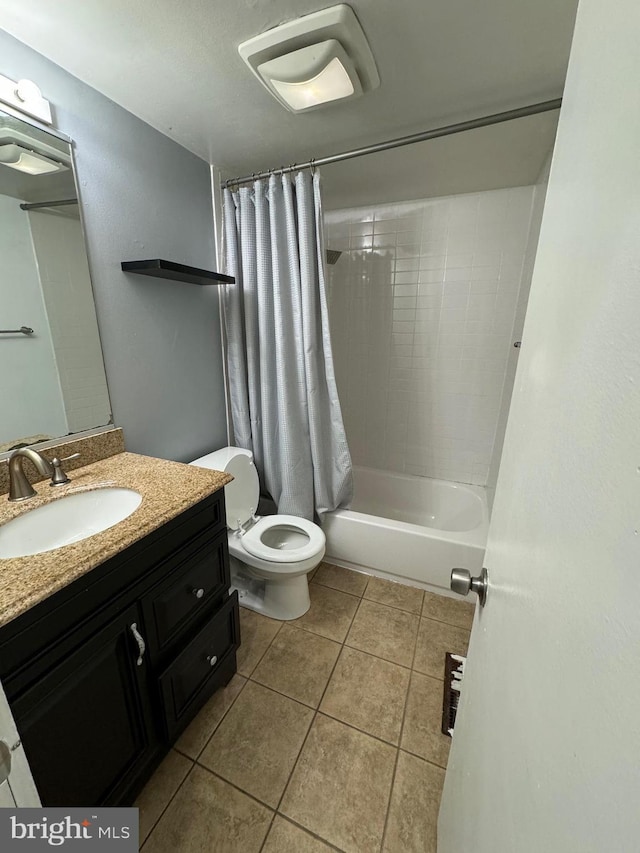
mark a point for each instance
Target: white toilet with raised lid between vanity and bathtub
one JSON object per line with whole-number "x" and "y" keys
{"x": 270, "y": 556}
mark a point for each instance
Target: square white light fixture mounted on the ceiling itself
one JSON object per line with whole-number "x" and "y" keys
{"x": 314, "y": 60}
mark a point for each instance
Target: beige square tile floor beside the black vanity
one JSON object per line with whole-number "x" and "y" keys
{"x": 327, "y": 738}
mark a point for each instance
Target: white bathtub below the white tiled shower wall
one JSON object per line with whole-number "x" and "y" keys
{"x": 412, "y": 528}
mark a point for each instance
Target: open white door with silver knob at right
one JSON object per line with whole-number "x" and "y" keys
{"x": 546, "y": 752}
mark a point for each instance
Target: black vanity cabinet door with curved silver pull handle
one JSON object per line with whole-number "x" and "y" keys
{"x": 86, "y": 725}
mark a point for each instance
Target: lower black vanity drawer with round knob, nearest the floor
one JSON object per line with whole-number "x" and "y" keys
{"x": 198, "y": 670}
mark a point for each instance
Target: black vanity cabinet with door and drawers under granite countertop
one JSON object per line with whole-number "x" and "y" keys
{"x": 103, "y": 676}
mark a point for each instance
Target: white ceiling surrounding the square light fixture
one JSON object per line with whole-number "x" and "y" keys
{"x": 176, "y": 65}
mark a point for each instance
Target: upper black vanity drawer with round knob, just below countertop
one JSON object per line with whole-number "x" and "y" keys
{"x": 188, "y": 591}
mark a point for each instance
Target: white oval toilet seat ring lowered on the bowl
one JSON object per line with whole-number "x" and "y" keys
{"x": 253, "y": 540}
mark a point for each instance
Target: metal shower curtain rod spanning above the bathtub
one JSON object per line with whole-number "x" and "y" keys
{"x": 447, "y": 130}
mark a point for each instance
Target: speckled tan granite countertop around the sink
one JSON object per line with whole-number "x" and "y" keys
{"x": 167, "y": 489}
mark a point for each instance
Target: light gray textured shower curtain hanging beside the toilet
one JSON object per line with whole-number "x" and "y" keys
{"x": 283, "y": 397}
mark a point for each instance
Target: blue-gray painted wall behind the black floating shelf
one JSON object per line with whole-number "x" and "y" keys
{"x": 143, "y": 196}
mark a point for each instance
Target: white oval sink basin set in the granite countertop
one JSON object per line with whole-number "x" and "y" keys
{"x": 66, "y": 520}
